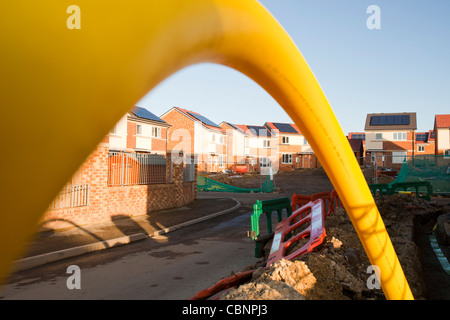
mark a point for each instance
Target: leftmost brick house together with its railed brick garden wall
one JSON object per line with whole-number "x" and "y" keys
{"x": 128, "y": 174}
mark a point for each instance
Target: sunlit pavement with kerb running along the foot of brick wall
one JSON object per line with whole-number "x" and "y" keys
{"x": 50, "y": 245}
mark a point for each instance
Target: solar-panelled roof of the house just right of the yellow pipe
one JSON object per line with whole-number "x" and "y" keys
{"x": 391, "y": 121}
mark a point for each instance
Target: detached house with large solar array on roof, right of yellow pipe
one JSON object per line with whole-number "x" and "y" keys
{"x": 390, "y": 137}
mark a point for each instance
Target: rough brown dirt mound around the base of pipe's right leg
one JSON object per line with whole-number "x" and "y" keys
{"x": 339, "y": 269}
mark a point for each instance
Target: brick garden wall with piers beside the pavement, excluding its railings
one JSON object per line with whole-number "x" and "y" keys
{"x": 106, "y": 202}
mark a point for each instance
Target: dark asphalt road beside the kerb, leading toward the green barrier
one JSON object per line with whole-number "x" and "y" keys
{"x": 171, "y": 267}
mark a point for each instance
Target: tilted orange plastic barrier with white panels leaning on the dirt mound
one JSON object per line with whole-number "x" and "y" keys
{"x": 316, "y": 231}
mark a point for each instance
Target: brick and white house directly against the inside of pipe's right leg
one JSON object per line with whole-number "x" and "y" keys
{"x": 294, "y": 150}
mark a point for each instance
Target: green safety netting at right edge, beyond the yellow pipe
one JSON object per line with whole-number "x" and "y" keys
{"x": 434, "y": 169}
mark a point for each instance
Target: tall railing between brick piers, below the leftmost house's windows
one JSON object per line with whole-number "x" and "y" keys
{"x": 125, "y": 169}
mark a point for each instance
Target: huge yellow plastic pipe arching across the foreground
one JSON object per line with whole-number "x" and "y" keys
{"x": 62, "y": 90}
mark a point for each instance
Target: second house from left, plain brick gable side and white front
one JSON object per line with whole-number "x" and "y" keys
{"x": 196, "y": 136}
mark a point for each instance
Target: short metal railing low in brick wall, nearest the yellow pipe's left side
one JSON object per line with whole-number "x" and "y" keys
{"x": 71, "y": 196}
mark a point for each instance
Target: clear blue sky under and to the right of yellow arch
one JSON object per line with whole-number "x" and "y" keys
{"x": 402, "y": 67}
